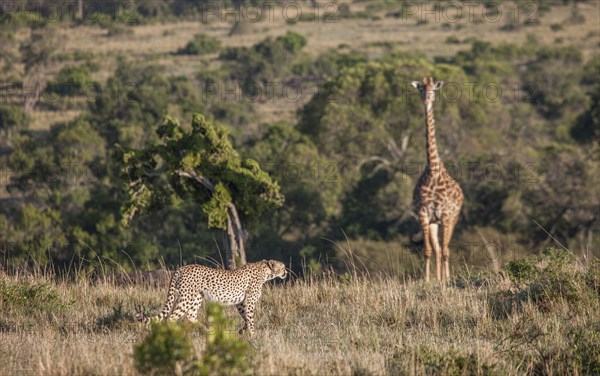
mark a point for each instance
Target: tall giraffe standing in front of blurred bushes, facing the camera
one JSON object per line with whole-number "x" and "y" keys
{"x": 437, "y": 196}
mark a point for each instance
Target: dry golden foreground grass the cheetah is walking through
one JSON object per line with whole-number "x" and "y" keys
{"x": 537, "y": 317}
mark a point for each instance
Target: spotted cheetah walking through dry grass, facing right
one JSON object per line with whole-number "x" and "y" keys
{"x": 191, "y": 284}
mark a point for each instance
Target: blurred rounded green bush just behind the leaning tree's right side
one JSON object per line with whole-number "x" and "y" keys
{"x": 310, "y": 182}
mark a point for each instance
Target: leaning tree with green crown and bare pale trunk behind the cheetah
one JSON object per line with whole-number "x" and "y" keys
{"x": 200, "y": 165}
